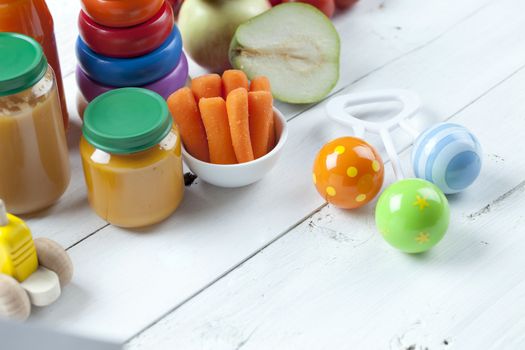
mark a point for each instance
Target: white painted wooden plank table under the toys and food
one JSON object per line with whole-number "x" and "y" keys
{"x": 272, "y": 266}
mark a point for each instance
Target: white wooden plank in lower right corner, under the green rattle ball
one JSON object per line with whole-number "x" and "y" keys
{"x": 334, "y": 283}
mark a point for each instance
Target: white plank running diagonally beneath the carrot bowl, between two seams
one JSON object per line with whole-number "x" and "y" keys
{"x": 155, "y": 270}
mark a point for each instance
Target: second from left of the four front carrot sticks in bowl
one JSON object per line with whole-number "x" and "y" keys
{"x": 215, "y": 120}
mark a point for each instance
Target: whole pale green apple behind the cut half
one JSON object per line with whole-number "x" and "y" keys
{"x": 208, "y": 26}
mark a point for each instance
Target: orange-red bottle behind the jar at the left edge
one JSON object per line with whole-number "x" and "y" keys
{"x": 32, "y": 18}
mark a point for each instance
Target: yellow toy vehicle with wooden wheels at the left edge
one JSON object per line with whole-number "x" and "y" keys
{"x": 31, "y": 272}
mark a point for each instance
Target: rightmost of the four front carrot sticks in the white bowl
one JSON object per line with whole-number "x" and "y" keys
{"x": 261, "y": 121}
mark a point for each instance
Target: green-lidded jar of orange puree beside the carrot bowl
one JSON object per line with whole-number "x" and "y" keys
{"x": 131, "y": 154}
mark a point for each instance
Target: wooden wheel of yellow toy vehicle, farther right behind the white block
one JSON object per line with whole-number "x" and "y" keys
{"x": 52, "y": 256}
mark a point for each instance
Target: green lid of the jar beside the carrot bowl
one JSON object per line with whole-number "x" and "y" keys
{"x": 125, "y": 121}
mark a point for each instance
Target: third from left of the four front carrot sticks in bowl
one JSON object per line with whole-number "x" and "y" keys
{"x": 237, "y": 107}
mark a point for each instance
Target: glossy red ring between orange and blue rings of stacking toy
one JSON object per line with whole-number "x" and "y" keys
{"x": 130, "y": 41}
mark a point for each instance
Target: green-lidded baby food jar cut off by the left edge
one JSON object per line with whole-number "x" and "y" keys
{"x": 34, "y": 162}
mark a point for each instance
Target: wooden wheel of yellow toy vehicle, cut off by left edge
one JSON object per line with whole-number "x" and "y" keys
{"x": 14, "y": 301}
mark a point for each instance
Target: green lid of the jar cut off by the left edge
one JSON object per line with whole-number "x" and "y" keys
{"x": 22, "y": 63}
